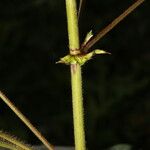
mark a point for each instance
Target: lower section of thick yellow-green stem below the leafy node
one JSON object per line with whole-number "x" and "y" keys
{"x": 78, "y": 112}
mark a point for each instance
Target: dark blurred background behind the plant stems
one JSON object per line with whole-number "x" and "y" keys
{"x": 33, "y": 36}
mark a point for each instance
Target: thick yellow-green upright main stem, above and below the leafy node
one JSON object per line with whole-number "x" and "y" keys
{"x": 76, "y": 76}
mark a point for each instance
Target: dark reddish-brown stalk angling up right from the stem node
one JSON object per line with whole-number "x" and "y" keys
{"x": 93, "y": 40}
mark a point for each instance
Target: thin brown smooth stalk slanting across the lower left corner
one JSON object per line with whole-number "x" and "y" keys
{"x": 26, "y": 121}
